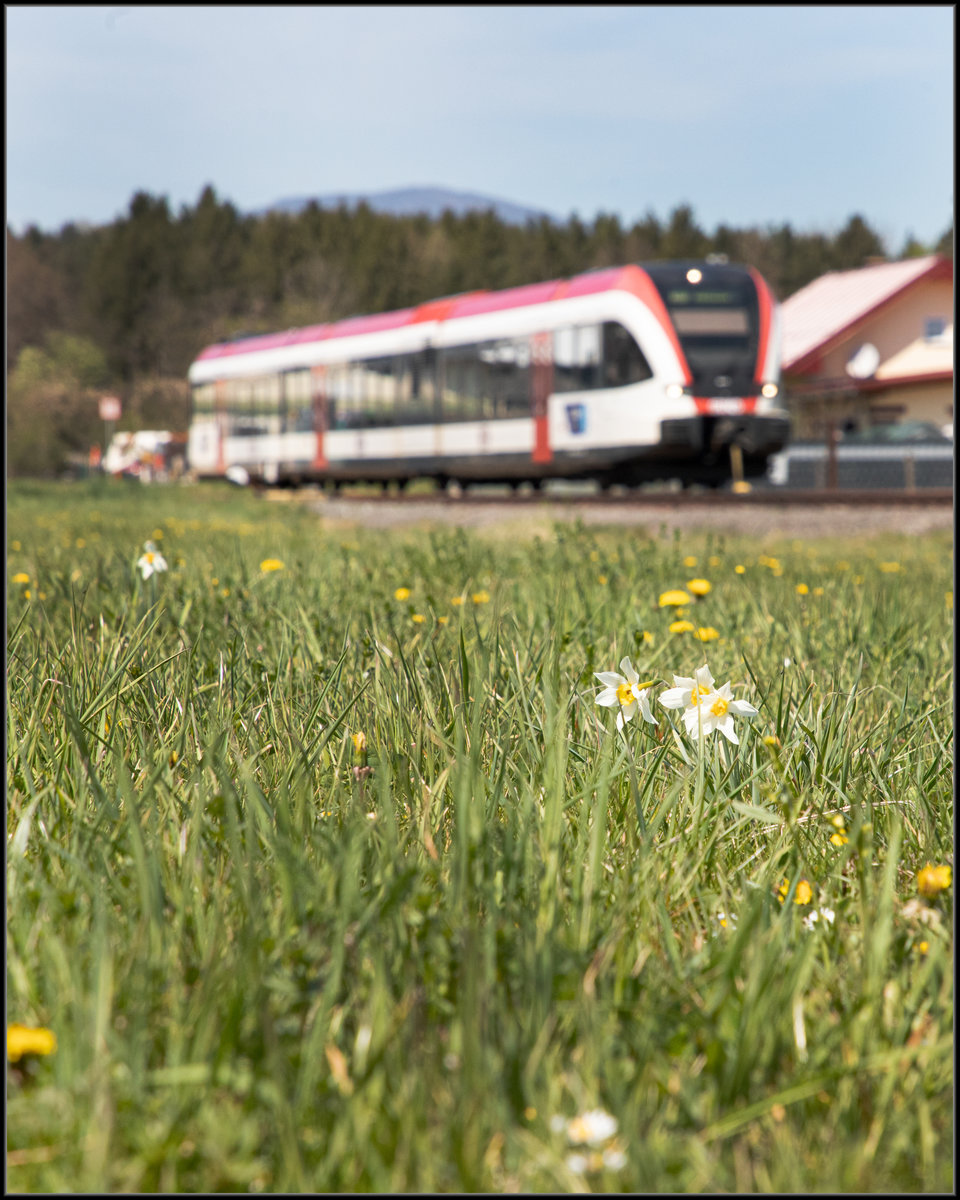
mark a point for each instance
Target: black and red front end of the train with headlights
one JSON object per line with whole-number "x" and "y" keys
{"x": 728, "y": 325}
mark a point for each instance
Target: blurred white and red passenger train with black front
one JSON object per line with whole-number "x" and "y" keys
{"x": 622, "y": 376}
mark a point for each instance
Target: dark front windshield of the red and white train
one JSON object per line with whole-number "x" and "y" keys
{"x": 717, "y": 322}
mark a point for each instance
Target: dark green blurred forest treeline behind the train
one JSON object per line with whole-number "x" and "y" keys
{"x": 128, "y": 307}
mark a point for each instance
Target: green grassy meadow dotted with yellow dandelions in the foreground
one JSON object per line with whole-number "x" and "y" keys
{"x": 327, "y": 872}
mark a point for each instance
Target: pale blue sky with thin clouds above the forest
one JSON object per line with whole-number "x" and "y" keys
{"x": 754, "y": 117}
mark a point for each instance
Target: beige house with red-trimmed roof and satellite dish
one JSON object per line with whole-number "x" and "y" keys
{"x": 871, "y": 346}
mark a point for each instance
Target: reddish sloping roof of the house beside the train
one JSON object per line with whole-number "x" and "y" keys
{"x": 830, "y": 308}
